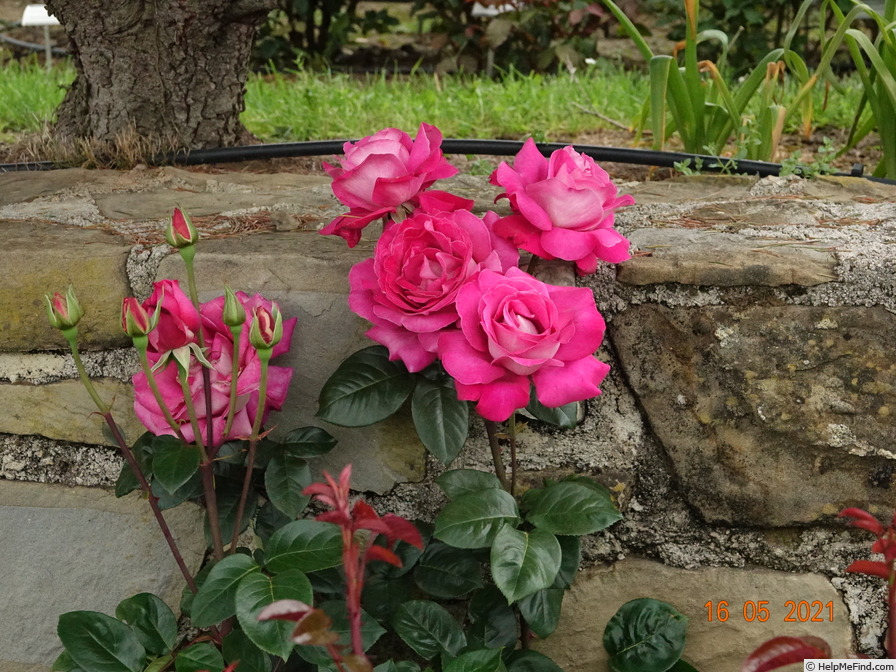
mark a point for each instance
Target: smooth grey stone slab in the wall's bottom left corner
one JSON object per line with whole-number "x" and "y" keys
{"x": 67, "y": 549}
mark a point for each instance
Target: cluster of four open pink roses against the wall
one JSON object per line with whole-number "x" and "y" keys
{"x": 444, "y": 283}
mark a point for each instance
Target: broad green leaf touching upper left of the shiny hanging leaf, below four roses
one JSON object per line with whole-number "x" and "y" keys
{"x": 473, "y": 520}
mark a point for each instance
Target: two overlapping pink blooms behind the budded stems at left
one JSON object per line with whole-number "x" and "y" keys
{"x": 178, "y": 327}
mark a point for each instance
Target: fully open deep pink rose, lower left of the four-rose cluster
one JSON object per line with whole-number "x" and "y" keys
{"x": 409, "y": 288}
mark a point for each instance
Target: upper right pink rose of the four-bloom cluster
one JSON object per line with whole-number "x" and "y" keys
{"x": 564, "y": 207}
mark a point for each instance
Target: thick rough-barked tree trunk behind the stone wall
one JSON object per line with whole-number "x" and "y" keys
{"x": 170, "y": 70}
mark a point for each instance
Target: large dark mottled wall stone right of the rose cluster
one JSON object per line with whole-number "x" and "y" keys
{"x": 770, "y": 415}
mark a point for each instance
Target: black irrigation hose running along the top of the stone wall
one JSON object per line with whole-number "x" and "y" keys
{"x": 643, "y": 157}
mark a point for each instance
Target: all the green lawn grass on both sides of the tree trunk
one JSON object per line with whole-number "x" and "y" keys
{"x": 308, "y": 105}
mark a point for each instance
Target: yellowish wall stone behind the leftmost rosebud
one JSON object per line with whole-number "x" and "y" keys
{"x": 38, "y": 259}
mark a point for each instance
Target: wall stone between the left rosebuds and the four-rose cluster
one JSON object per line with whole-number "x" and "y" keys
{"x": 307, "y": 274}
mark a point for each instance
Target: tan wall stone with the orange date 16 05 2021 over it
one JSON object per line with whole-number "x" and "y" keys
{"x": 577, "y": 645}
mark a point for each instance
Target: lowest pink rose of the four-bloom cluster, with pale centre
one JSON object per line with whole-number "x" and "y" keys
{"x": 516, "y": 331}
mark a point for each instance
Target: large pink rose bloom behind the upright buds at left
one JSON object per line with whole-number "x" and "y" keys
{"x": 219, "y": 353}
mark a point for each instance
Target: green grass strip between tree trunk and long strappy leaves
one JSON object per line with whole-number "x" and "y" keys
{"x": 304, "y": 106}
